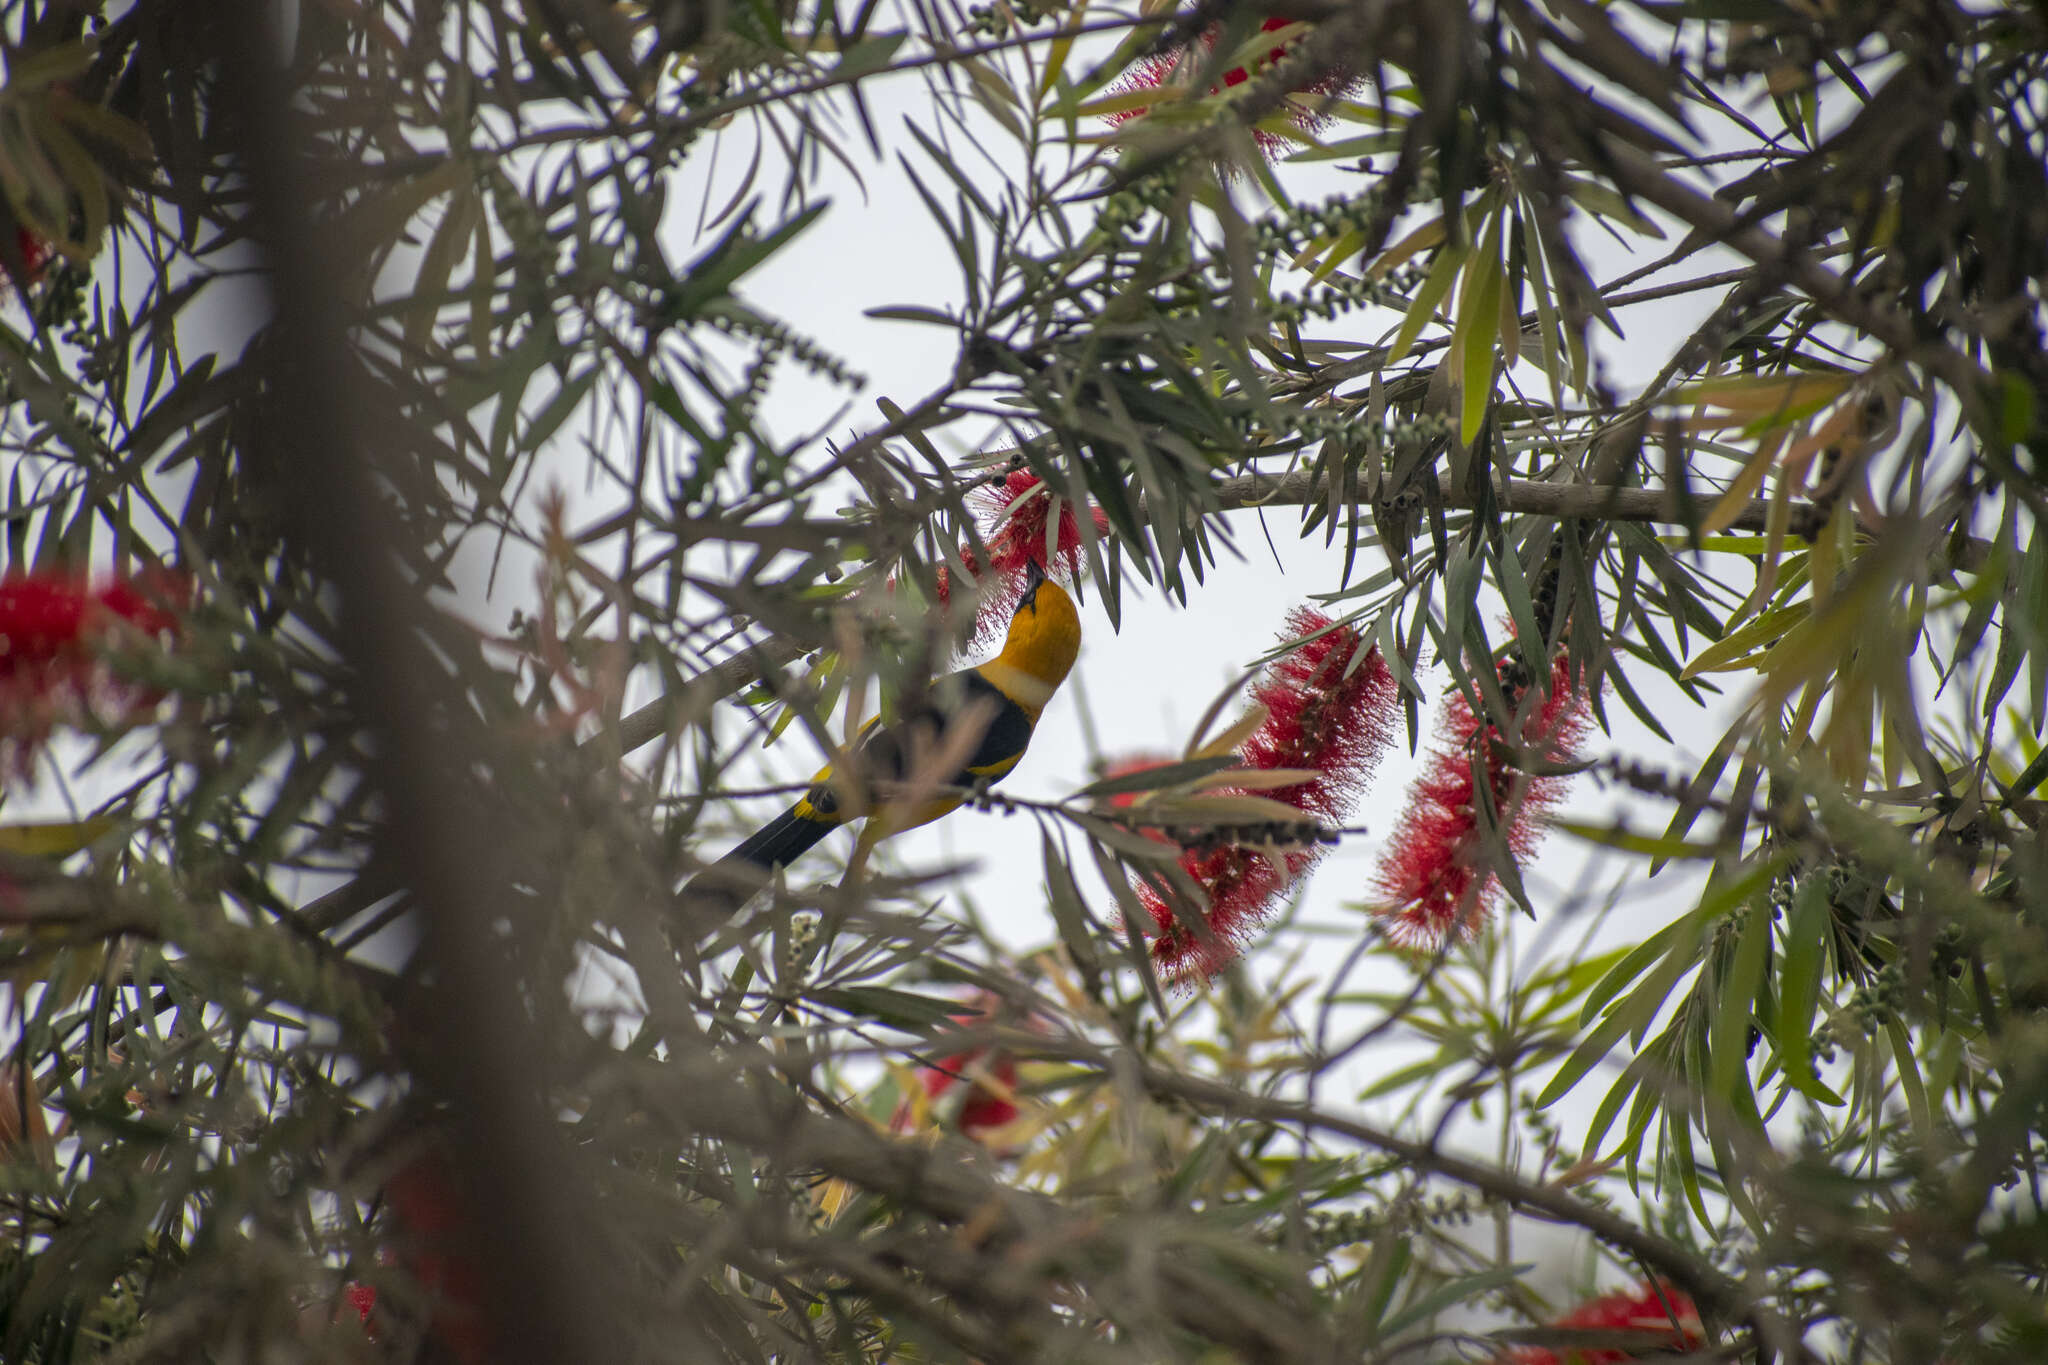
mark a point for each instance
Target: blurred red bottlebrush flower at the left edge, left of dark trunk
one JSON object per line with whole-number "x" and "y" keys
{"x": 56, "y": 637}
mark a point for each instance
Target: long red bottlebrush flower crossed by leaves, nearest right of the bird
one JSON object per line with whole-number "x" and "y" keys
{"x": 1320, "y": 715}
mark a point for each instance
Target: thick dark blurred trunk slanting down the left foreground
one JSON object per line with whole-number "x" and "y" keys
{"x": 441, "y": 830}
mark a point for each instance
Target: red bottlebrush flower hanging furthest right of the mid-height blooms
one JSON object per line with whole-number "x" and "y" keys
{"x": 1435, "y": 879}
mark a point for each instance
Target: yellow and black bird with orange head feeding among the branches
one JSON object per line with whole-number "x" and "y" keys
{"x": 984, "y": 715}
